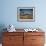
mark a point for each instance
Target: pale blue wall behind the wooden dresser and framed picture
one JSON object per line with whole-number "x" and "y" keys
{"x": 8, "y": 13}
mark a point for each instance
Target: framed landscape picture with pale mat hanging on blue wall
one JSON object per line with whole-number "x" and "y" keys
{"x": 26, "y": 14}
